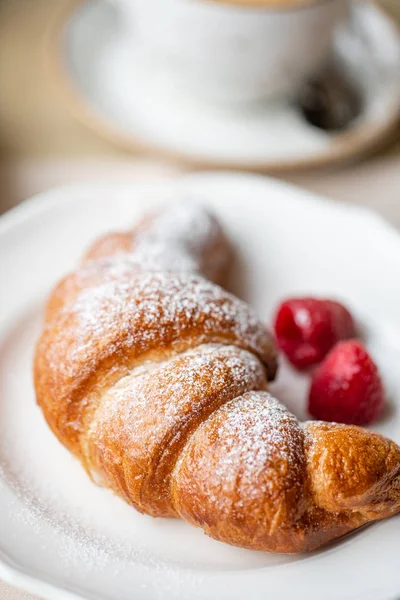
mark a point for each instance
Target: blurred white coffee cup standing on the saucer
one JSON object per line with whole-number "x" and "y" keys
{"x": 229, "y": 52}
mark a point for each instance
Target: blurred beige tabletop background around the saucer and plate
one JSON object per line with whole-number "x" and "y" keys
{"x": 42, "y": 144}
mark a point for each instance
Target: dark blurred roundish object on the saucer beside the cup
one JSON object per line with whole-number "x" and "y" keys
{"x": 331, "y": 101}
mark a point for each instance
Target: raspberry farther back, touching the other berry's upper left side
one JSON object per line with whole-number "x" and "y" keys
{"x": 307, "y": 328}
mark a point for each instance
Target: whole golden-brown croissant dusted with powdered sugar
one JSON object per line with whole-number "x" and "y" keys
{"x": 155, "y": 378}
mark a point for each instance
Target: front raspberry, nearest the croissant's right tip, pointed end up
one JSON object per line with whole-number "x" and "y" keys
{"x": 346, "y": 387}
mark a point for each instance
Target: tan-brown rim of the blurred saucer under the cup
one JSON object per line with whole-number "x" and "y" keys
{"x": 348, "y": 147}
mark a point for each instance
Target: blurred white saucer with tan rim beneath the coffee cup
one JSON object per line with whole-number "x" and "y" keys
{"x": 97, "y": 77}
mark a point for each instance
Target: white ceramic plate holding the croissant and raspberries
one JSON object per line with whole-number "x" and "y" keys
{"x": 61, "y": 536}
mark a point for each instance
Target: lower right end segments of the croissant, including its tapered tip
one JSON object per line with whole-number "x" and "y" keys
{"x": 281, "y": 485}
